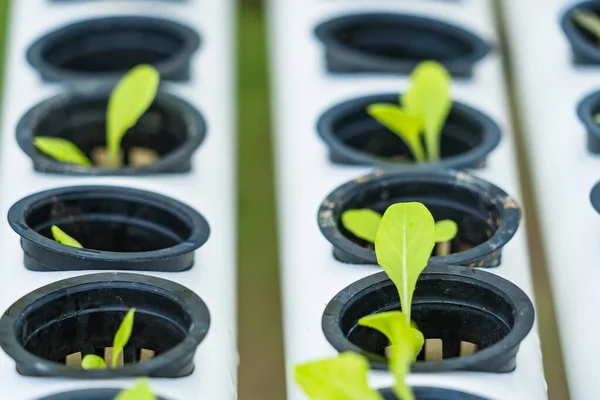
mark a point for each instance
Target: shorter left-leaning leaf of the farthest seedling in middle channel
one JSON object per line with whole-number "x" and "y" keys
{"x": 408, "y": 127}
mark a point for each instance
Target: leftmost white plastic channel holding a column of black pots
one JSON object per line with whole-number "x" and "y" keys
{"x": 209, "y": 188}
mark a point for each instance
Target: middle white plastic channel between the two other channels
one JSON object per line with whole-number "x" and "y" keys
{"x": 310, "y": 275}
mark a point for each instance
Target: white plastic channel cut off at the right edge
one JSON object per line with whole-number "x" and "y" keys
{"x": 563, "y": 172}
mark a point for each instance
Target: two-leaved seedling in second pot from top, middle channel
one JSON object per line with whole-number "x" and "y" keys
{"x": 422, "y": 111}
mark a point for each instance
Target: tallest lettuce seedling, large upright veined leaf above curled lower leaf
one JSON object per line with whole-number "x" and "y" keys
{"x": 403, "y": 245}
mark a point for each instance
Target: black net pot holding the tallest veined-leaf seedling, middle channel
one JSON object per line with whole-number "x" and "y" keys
{"x": 462, "y": 307}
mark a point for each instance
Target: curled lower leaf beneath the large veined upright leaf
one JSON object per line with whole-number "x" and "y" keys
{"x": 406, "y": 342}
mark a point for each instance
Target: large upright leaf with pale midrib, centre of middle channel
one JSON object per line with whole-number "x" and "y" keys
{"x": 403, "y": 245}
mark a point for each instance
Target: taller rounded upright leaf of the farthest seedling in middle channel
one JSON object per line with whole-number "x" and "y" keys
{"x": 429, "y": 98}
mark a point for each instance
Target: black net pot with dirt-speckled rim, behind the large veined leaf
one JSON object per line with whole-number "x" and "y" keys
{"x": 486, "y": 216}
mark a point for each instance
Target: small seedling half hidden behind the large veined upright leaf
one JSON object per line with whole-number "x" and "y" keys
{"x": 364, "y": 223}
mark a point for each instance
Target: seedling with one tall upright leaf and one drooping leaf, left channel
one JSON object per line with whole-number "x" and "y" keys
{"x": 129, "y": 100}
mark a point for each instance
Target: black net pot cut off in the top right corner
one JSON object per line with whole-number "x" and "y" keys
{"x": 584, "y": 45}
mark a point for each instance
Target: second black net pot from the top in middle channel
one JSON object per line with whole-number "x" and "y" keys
{"x": 355, "y": 138}
